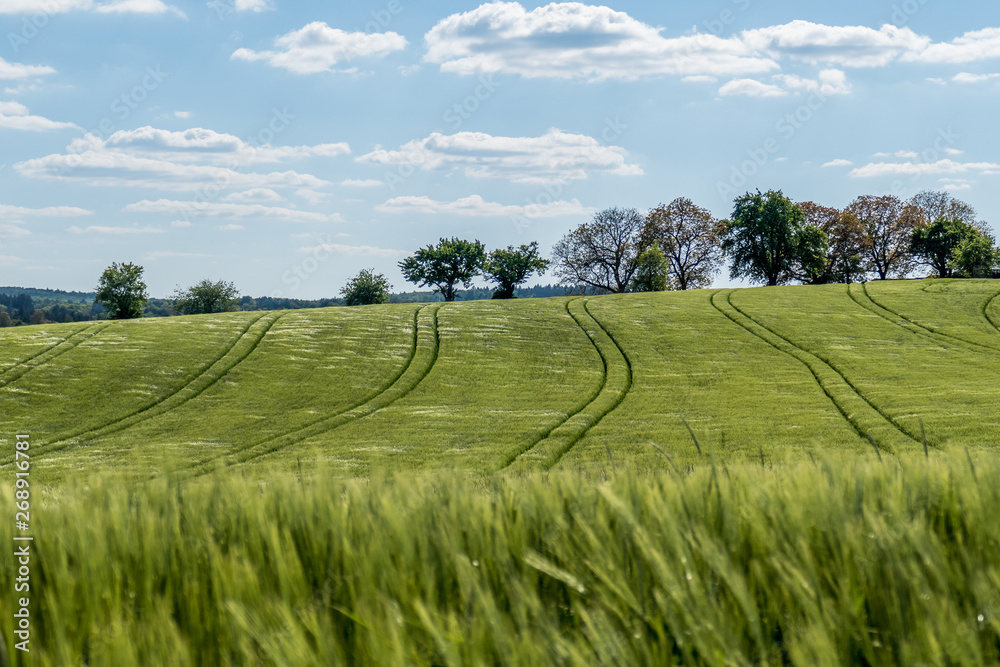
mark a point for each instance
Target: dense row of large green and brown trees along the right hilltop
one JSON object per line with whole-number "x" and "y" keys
{"x": 771, "y": 240}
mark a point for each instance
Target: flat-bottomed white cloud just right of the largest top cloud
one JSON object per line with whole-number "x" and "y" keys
{"x": 846, "y": 46}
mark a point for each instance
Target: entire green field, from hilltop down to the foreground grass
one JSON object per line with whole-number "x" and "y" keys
{"x": 793, "y": 475}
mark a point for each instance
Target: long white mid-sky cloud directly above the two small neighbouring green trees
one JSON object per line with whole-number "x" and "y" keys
{"x": 553, "y": 157}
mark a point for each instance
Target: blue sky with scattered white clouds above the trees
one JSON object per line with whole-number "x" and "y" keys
{"x": 286, "y": 145}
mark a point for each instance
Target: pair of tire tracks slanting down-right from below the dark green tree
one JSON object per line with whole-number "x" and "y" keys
{"x": 863, "y": 415}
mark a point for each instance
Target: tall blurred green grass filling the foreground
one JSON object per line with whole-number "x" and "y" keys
{"x": 839, "y": 561}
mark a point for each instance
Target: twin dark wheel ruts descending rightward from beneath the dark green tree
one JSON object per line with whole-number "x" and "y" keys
{"x": 810, "y": 360}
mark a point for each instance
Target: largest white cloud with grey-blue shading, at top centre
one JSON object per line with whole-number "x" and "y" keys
{"x": 574, "y": 40}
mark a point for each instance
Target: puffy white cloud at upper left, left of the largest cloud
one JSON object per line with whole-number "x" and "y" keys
{"x": 319, "y": 48}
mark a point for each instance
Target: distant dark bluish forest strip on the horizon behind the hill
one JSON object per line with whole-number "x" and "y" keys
{"x": 28, "y": 305}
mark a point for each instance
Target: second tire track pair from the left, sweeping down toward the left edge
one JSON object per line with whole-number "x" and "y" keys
{"x": 243, "y": 347}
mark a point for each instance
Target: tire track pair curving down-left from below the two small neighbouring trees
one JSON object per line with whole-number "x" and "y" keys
{"x": 423, "y": 357}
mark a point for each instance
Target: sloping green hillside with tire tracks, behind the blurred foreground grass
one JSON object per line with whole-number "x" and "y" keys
{"x": 536, "y": 384}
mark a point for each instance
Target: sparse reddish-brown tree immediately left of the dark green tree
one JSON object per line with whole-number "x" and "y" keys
{"x": 690, "y": 239}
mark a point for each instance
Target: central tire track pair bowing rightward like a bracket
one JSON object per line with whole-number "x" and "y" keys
{"x": 615, "y": 385}
